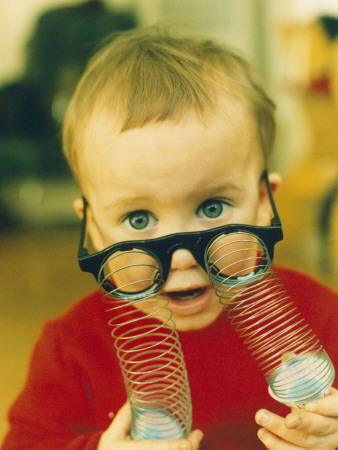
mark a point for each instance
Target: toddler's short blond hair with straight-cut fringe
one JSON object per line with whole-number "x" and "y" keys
{"x": 162, "y": 72}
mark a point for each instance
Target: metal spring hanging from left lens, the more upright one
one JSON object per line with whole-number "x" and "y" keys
{"x": 152, "y": 365}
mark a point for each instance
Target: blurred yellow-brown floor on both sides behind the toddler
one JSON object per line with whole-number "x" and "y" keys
{"x": 40, "y": 278}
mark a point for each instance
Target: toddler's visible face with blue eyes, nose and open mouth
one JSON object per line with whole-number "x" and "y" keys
{"x": 175, "y": 177}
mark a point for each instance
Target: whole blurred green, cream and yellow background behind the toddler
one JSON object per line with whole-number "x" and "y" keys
{"x": 44, "y": 46}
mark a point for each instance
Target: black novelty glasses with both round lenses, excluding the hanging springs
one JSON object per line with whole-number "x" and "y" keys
{"x": 132, "y": 270}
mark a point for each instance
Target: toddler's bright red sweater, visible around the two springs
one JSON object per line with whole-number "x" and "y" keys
{"x": 74, "y": 379}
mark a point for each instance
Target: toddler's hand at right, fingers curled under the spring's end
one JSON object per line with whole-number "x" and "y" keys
{"x": 315, "y": 426}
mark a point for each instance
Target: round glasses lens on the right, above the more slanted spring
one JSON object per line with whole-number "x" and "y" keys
{"x": 236, "y": 257}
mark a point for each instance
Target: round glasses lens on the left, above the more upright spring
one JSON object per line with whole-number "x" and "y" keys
{"x": 129, "y": 272}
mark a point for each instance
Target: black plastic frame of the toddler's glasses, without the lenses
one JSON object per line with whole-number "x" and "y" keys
{"x": 162, "y": 248}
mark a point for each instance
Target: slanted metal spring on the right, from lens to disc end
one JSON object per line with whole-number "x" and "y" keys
{"x": 292, "y": 359}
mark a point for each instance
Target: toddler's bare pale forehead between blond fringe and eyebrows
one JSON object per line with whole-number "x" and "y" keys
{"x": 172, "y": 152}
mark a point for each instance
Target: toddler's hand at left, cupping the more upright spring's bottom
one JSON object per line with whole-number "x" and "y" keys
{"x": 117, "y": 437}
